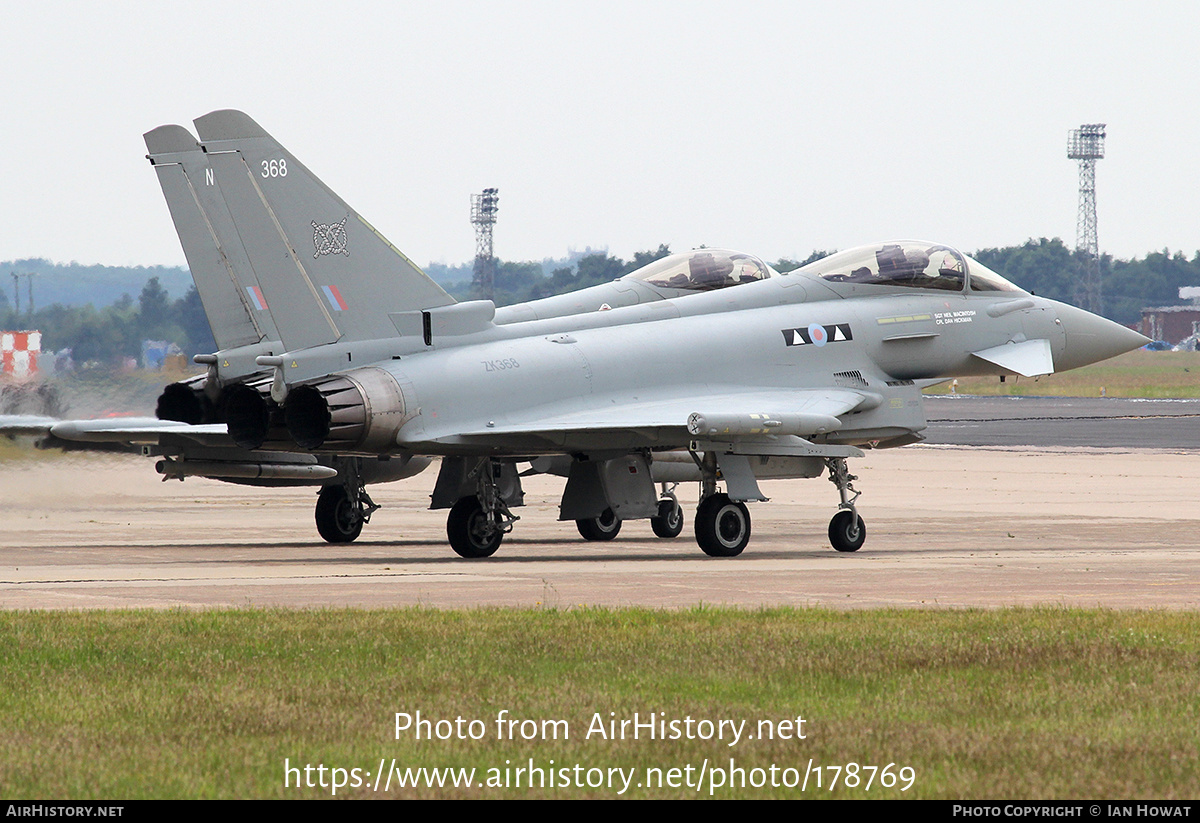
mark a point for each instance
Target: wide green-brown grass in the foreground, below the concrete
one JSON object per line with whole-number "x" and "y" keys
{"x": 1010, "y": 704}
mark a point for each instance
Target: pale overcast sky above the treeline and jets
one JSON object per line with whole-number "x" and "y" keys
{"x": 770, "y": 128}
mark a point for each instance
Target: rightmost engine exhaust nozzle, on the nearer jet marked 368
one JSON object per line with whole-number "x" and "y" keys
{"x": 353, "y": 412}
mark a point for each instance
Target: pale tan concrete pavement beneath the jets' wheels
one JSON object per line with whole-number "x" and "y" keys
{"x": 947, "y": 527}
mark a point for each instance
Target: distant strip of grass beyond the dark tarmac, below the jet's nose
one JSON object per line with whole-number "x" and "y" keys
{"x": 1132, "y": 375}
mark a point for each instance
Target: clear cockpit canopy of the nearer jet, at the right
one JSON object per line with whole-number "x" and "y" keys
{"x": 910, "y": 265}
